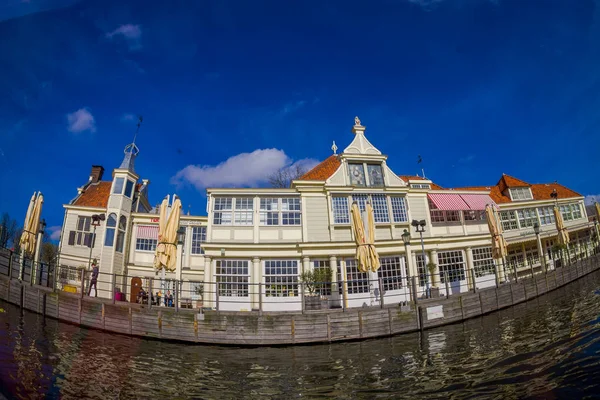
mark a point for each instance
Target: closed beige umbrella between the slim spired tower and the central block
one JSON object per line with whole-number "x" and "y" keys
{"x": 166, "y": 250}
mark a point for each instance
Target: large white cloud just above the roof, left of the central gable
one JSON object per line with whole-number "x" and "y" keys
{"x": 241, "y": 170}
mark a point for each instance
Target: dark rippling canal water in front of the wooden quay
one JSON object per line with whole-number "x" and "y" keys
{"x": 546, "y": 348}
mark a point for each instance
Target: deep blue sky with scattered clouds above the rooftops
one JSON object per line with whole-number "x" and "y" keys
{"x": 231, "y": 90}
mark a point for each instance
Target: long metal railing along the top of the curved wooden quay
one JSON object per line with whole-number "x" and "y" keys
{"x": 380, "y": 290}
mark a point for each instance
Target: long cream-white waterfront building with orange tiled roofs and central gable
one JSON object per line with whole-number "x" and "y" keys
{"x": 255, "y": 241}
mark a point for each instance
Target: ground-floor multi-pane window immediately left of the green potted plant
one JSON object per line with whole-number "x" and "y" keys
{"x": 281, "y": 278}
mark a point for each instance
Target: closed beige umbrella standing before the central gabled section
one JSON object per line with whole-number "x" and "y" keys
{"x": 366, "y": 255}
